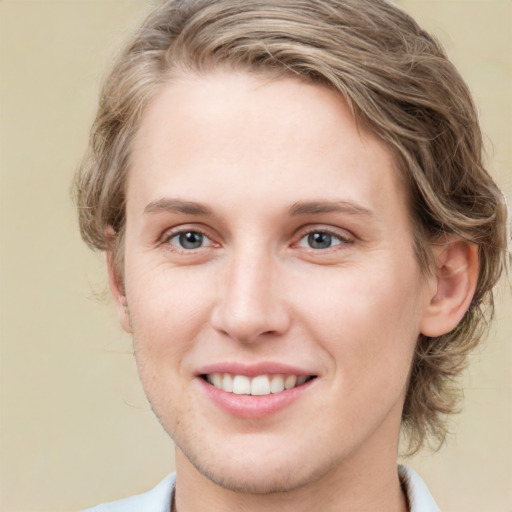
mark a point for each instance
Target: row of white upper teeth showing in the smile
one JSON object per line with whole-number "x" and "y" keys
{"x": 257, "y": 386}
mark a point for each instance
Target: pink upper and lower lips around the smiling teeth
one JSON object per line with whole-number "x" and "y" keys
{"x": 250, "y": 406}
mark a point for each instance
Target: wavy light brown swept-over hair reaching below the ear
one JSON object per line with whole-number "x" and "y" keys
{"x": 399, "y": 84}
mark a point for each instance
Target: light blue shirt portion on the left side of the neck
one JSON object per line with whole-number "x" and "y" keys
{"x": 157, "y": 499}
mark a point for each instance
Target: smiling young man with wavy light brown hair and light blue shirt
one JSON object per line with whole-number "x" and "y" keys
{"x": 301, "y": 238}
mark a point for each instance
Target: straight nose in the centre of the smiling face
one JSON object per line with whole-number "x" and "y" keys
{"x": 251, "y": 303}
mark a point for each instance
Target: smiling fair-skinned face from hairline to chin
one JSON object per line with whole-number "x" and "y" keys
{"x": 271, "y": 284}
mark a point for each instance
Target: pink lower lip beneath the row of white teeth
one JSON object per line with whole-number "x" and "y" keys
{"x": 251, "y": 406}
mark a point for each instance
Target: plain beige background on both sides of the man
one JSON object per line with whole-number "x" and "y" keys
{"x": 74, "y": 427}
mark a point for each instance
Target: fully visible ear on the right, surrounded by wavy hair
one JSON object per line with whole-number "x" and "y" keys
{"x": 456, "y": 276}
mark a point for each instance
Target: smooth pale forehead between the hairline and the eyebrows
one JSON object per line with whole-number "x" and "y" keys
{"x": 282, "y": 137}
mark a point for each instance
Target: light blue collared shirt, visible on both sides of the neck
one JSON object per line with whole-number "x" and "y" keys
{"x": 159, "y": 498}
